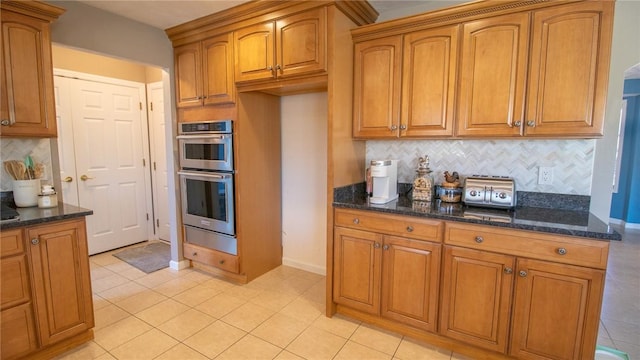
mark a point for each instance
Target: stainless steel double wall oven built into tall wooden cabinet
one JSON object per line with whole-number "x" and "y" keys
{"x": 206, "y": 183}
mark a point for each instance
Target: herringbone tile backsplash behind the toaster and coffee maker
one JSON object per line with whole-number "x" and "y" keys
{"x": 571, "y": 160}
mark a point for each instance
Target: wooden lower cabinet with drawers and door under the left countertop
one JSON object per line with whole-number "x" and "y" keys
{"x": 47, "y": 303}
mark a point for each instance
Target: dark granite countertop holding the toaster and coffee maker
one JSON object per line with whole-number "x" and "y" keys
{"x": 548, "y": 220}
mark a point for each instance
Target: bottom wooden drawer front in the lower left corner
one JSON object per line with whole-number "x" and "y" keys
{"x": 17, "y": 331}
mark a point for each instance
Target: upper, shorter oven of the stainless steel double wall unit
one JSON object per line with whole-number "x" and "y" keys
{"x": 206, "y": 145}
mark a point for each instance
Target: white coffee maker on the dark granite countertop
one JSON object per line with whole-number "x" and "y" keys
{"x": 384, "y": 178}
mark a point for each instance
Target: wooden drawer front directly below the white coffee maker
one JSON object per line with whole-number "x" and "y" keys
{"x": 404, "y": 226}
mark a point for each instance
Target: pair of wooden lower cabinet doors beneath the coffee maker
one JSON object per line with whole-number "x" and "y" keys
{"x": 390, "y": 276}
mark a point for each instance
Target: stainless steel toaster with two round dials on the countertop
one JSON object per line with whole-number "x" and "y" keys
{"x": 489, "y": 191}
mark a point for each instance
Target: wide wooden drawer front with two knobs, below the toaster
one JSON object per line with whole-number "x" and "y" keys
{"x": 557, "y": 248}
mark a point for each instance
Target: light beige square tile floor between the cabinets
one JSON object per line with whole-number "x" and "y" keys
{"x": 191, "y": 315}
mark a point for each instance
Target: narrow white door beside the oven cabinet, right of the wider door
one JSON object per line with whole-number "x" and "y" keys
{"x": 159, "y": 174}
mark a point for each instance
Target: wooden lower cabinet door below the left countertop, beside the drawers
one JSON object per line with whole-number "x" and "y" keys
{"x": 62, "y": 284}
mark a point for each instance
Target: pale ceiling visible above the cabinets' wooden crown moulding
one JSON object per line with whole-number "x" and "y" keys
{"x": 163, "y": 14}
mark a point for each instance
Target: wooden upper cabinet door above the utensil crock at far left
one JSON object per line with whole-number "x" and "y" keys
{"x": 27, "y": 106}
